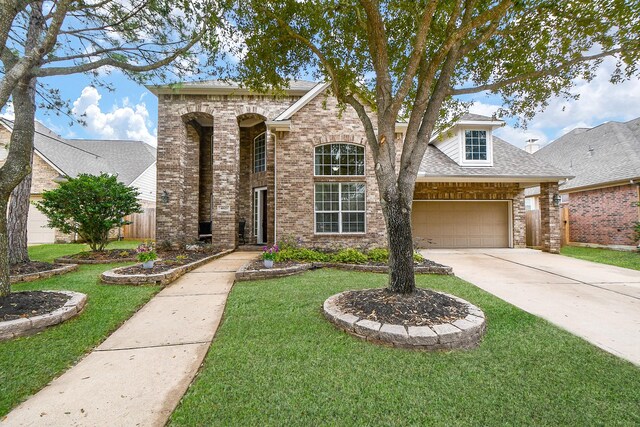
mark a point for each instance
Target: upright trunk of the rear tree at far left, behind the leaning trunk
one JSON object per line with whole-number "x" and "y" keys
{"x": 18, "y": 217}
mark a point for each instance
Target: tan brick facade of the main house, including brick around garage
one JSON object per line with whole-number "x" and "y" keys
{"x": 290, "y": 163}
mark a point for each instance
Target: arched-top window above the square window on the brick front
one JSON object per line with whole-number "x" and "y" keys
{"x": 339, "y": 160}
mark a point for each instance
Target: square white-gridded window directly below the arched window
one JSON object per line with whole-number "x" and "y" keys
{"x": 340, "y": 207}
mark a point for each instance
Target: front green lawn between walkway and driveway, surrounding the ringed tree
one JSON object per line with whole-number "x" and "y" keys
{"x": 277, "y": 361}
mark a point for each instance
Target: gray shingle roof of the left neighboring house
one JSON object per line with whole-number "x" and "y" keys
{"x": 127, "y": 159}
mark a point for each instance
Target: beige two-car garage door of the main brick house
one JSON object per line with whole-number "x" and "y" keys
{"x": 461, "y": 224}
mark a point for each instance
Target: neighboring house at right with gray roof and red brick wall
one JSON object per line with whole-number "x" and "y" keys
{"x": 605, "y": 161}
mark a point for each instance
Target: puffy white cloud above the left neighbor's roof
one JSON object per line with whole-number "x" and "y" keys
{"x": 130, "y": 121}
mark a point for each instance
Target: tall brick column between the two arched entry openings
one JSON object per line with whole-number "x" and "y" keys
{"x": 226, "y": 153}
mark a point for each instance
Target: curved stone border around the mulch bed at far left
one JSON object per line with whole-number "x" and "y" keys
{"x": 30, "y": 325}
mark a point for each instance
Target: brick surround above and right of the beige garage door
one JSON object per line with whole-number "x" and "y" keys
{"x": 481, "y": 191}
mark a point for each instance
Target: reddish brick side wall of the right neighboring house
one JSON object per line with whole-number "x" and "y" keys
{"x": 604, "y": 216}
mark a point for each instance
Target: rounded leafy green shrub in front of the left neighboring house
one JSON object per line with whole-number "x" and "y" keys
{"x": 90, "y": 206}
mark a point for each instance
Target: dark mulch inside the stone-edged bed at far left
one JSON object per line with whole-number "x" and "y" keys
{"x": 17, "y": 305}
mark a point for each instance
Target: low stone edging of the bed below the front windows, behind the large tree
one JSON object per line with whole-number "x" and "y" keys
{"x": 244, "y": 274}
